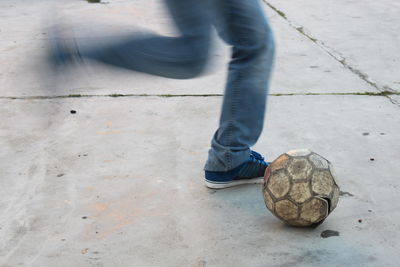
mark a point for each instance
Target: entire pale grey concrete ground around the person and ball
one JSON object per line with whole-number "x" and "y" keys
{"x": 119, "y": 183}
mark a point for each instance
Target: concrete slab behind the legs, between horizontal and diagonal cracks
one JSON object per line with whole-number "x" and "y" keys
{"x": 300, "y": 68}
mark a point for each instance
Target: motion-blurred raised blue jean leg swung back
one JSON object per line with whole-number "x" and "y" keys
{"x": 180, "y": 57}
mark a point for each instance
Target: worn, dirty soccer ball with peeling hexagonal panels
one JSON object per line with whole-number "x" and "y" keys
{"x": 300, "y": 188}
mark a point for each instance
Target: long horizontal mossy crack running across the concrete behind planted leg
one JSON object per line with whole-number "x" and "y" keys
{"x": 38, "y": 97}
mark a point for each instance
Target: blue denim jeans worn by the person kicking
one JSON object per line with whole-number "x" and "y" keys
{"x": 242, "y": 25}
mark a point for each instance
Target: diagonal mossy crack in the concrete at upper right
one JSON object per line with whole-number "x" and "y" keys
{"x": 332, "y": 52}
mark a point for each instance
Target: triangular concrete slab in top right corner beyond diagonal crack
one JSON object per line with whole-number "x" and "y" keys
{"x": 364, "y": 33}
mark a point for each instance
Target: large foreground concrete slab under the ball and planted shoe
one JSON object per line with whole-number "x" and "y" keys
{"x": 120, "y": 183}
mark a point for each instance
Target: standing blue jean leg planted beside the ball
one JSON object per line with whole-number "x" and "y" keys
{"x": 242, "y": 24}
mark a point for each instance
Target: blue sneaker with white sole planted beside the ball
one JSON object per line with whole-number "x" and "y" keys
{"x": 250, "y": 172}
